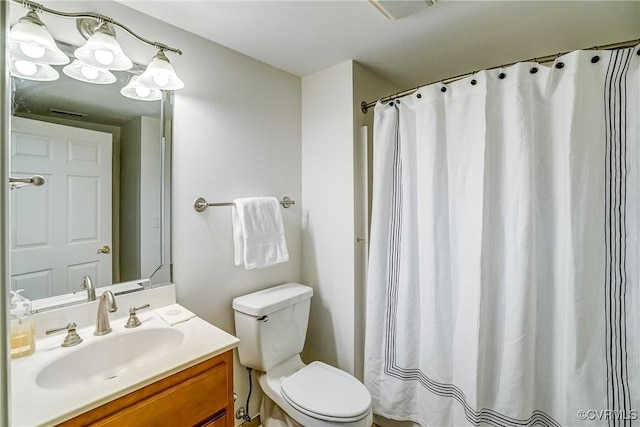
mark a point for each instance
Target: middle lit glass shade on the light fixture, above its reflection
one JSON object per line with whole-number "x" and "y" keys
{"x": 103, "y": 50}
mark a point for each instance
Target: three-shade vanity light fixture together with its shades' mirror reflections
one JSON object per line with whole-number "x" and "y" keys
{"x": 33, "y": 50}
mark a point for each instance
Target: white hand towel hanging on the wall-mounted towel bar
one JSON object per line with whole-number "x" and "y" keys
{"x": 258, "y": 232}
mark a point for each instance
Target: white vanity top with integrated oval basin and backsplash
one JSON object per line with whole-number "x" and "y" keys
{"x": 66, "y": 382}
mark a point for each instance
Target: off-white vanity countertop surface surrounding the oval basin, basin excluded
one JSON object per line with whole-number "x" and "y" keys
{"x": 33, "y": 405}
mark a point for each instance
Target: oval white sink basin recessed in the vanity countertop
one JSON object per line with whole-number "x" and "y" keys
{"x": 107, "y": 357}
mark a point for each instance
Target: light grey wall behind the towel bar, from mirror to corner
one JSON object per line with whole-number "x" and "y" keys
{"x": 236, "y": 134}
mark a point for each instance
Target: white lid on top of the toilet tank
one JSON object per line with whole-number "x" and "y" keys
{"x": 272, "y": 299}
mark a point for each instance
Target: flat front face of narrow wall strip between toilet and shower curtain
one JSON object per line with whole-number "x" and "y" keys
{"x": 328, "y": 206}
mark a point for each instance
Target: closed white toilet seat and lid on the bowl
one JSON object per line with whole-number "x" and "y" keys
{"x": 327, "y": 393}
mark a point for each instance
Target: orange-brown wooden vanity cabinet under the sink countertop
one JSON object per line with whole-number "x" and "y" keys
{"x": 198, "y": 396}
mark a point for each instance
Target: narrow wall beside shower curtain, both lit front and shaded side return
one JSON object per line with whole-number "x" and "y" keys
{"x": 333, "y": 218}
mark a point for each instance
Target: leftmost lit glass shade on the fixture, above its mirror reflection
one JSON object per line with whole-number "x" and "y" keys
{"x": 30, "y": 40}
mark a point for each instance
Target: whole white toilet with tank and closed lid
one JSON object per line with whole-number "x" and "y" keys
{"x": 272, "y": 326}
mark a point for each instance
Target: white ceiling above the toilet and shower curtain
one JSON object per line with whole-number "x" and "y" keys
{"x": 449, "y": 38}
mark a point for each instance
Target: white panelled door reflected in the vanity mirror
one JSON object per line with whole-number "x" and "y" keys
{"x": 54, "y": 244}
